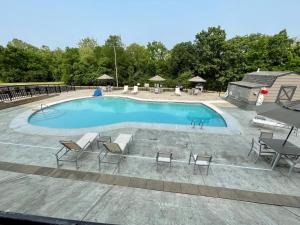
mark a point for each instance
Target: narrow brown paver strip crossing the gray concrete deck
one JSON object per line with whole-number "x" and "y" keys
{"x": 158, "y": 185}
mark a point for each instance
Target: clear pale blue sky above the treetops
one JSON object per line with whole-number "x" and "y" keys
{"x": 62, "y": 23}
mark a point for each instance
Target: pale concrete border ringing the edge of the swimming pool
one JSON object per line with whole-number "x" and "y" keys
{"x": 20, "y": 123}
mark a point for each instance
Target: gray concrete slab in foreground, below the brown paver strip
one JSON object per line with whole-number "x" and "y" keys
{"x": 69, "y": 199}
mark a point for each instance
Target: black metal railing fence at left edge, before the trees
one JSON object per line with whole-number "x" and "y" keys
{"x": 10, "y": 93}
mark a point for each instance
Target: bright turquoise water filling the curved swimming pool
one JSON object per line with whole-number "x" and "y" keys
{"x": 91, "y": 112}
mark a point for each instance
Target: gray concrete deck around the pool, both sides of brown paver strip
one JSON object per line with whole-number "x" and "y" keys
{"x": 86, "y": 200}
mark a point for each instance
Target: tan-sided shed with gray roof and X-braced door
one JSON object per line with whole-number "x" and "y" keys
{"x": 281, "y": 86}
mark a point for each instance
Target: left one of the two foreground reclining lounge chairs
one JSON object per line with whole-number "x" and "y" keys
{"x": 77, "y": 148}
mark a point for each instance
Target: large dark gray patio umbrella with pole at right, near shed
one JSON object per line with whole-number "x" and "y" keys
{"x": 288, "y": 113}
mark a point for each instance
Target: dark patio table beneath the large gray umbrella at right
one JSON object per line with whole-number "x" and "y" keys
{"x": 277, "y": 145}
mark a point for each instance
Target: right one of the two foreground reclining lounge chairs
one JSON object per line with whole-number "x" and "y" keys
{"x": 119, "y": 147}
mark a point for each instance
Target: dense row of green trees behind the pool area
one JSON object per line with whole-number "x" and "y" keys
{"x": 210, "y": 55}
